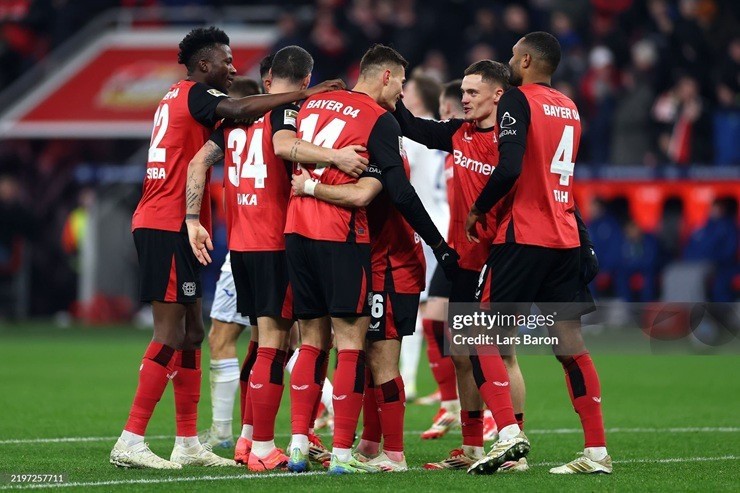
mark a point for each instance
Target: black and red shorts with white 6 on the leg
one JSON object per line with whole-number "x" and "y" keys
{"x": 393, "y": 315}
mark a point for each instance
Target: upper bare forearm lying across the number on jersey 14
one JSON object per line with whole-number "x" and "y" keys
{"x": 348, "y": 159}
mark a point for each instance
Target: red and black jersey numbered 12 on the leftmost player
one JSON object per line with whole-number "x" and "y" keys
{"x": 184, "y": 119}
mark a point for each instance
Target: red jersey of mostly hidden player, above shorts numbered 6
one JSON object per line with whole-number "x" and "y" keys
{"x": 398, "y": 263}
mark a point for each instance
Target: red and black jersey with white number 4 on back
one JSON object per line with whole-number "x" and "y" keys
{"x": 539, "y": 134}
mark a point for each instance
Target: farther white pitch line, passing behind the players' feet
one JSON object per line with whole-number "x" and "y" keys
{"x": 556, "y": 431}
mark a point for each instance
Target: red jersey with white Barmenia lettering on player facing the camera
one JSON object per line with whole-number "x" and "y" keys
{"x": 474, "y": 156}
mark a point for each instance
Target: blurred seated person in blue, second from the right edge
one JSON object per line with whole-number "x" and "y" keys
{"x": 635, "y": 278}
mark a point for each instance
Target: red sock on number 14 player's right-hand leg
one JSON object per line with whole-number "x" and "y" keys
{"x": 349, "y": 386}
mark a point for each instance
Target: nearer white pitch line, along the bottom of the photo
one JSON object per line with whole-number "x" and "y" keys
{"x": 315, "y": 473}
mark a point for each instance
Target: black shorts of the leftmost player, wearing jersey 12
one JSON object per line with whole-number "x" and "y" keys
{"x": 168, "y": 270}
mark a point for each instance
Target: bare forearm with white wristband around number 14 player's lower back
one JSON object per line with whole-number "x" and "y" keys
{"x": 351, "y": 195}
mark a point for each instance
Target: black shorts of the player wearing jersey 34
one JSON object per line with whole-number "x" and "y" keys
{"x": 262, "y": 287}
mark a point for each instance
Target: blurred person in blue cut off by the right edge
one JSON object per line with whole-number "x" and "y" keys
{"x": 716, "y": 243}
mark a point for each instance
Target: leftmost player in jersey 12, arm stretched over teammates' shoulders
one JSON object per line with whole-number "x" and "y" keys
{"x": 169, "y": 272}
